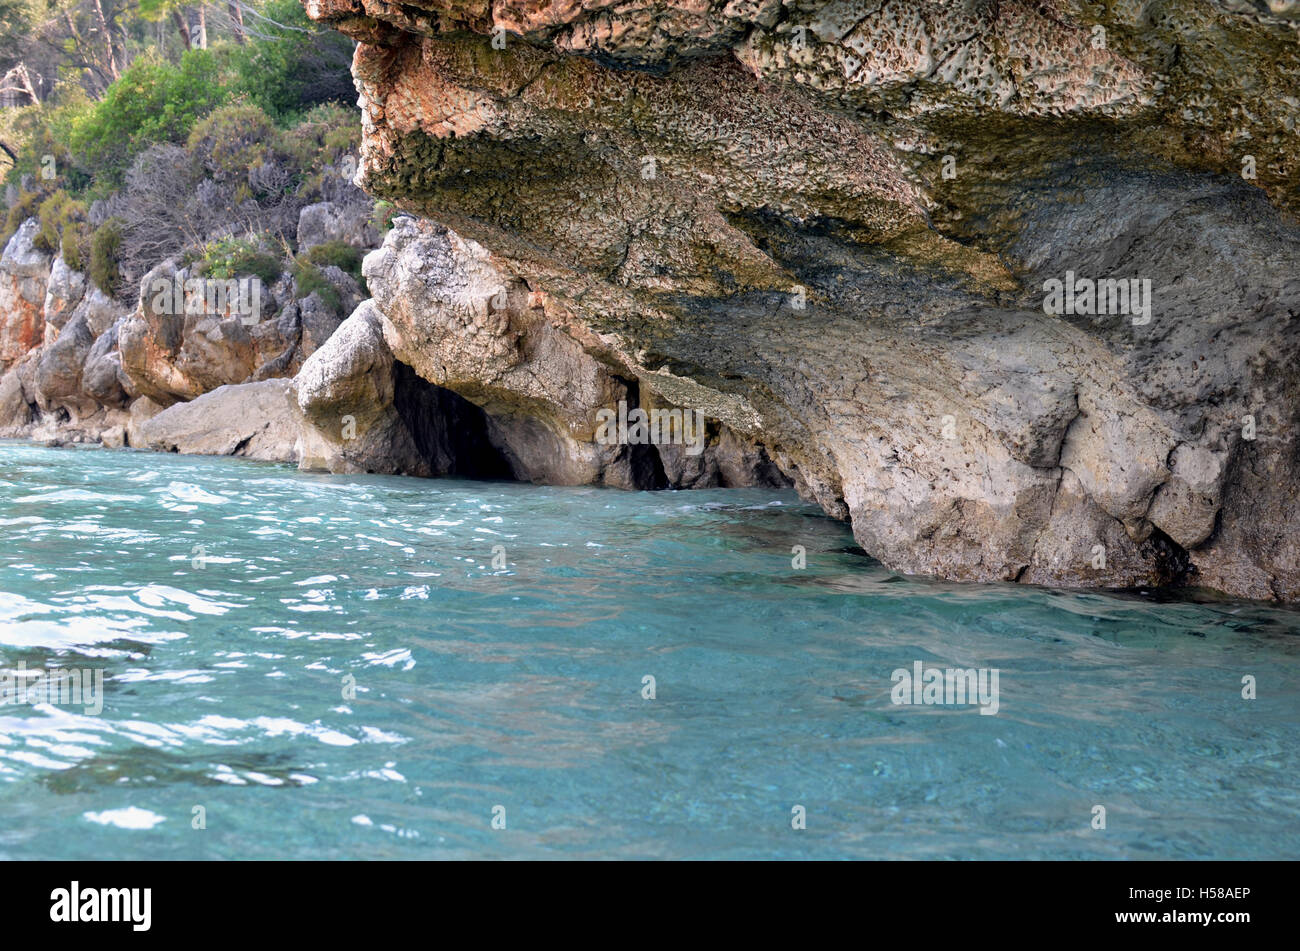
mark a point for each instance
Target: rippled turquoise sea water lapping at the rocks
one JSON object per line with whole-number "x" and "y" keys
{"x": 231, "y": 605}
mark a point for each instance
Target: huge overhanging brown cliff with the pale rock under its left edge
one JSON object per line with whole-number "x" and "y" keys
{"x": 830, "y": 227}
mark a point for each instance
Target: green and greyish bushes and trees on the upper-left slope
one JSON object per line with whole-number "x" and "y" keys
{"x": 184, "y": 146}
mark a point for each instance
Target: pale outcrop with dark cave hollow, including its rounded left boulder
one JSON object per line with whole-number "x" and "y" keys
{"x": 506, "y": 372}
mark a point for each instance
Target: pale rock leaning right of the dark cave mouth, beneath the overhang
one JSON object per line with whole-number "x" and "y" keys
{"x": 450, "y": 315}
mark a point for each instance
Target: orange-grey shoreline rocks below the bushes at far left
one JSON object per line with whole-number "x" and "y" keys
{"x": 77, "y": 366}
